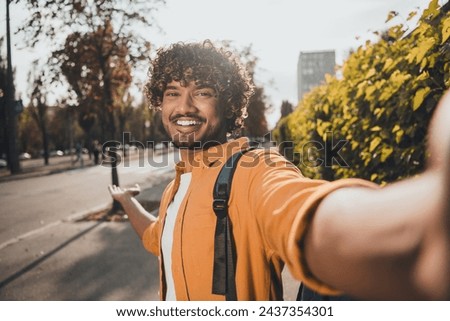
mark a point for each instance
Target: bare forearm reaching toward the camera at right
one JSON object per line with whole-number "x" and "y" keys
{"x": 394, "y": 242}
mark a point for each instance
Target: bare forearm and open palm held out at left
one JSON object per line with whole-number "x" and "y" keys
{"x": 140, "y": 219}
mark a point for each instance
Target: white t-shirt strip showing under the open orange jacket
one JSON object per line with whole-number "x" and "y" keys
{"x": 167, "y": 235}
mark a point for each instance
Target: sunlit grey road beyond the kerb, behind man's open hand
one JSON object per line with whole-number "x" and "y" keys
{"x": 28, "y": 205}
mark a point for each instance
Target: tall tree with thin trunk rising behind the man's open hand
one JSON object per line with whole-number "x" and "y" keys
{"x": 109, "y": 30}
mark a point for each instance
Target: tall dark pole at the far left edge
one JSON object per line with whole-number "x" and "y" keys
{"x": 11, "y": 115}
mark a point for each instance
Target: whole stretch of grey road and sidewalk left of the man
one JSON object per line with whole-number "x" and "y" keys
{"x": 46, "y": 254}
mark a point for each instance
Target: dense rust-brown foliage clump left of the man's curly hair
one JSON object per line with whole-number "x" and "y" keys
{"x": 99, "y": 73}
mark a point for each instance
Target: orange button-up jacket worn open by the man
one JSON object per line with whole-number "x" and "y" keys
{"x": 271, "y": 205}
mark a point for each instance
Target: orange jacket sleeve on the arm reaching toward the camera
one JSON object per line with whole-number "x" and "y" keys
{"x": 284, "y": 202}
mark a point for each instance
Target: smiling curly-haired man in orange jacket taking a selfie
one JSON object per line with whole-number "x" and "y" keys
{"x": 346, "y": 236}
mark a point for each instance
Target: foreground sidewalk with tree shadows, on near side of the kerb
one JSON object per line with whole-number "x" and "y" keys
{"x": 106, "y": 261}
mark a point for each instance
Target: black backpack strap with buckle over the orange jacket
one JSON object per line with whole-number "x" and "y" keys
{"x": 224, "y": 249}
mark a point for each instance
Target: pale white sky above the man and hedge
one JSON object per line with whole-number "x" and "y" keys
{"x": 277, "y": 30}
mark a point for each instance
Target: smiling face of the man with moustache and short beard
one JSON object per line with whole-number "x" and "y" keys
{"x": 191, "y": 115}
